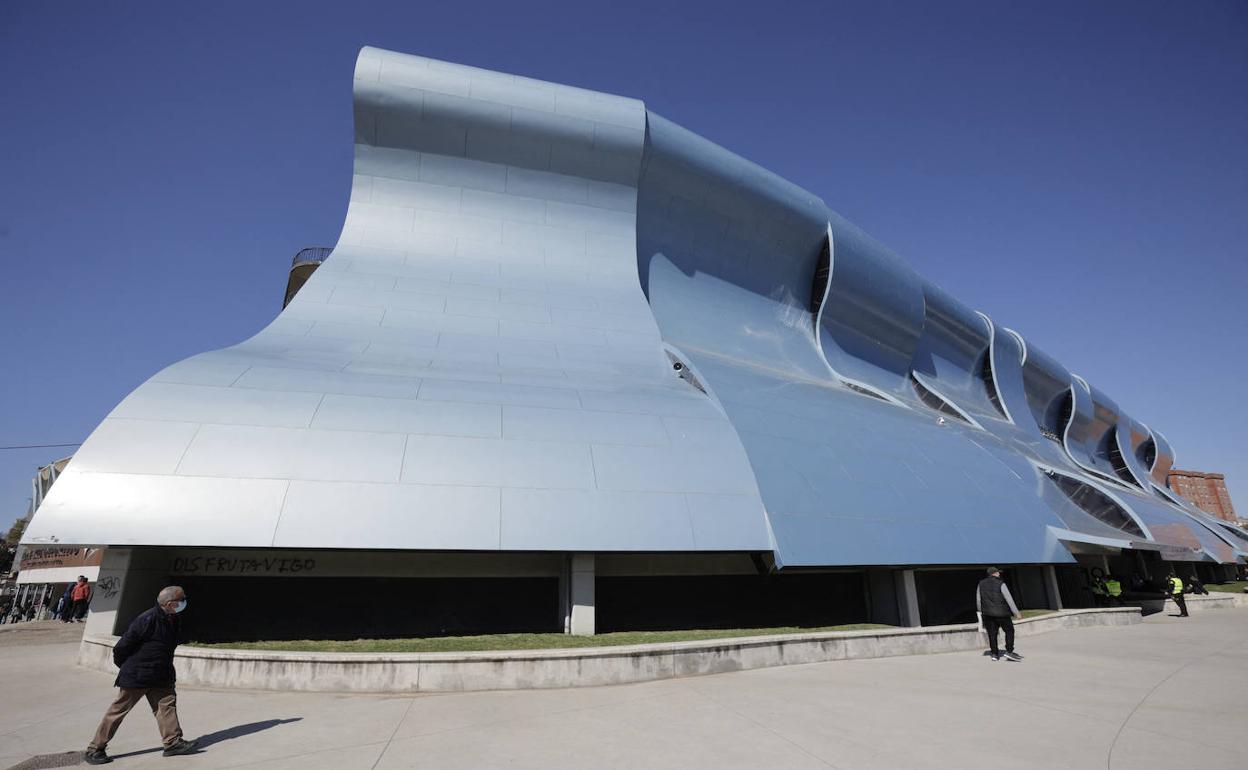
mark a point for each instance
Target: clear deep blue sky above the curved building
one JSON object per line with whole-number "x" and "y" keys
{"x": 1076, "y": 170}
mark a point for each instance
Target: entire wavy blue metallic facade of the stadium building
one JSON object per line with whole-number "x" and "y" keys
{"x": 556, "y": 321}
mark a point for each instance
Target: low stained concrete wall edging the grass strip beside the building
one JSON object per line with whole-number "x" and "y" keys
{"x": 571, "y": 668}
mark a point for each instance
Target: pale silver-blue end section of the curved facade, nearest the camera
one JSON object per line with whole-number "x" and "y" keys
{"x": 474, "y": 368}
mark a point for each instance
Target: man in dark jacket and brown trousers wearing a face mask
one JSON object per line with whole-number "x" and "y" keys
{"x": 145, "y": 656}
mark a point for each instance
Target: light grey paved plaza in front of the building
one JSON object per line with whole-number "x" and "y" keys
{"x": 1168, "y": 694}
